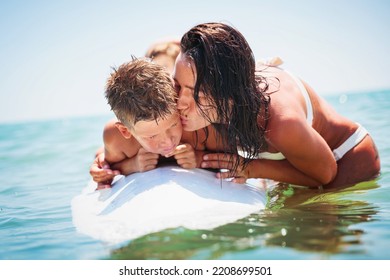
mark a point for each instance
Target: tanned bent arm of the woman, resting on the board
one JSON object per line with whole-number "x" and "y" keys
{"x": 309, "y": 161}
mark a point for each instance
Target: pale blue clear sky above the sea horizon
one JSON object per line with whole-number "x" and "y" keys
{"x": 55, "y": 56}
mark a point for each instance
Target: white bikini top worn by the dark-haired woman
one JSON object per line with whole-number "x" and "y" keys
{"x": 276, "y": 61}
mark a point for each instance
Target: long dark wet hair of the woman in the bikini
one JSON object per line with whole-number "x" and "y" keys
{"x": 225, "y": 72}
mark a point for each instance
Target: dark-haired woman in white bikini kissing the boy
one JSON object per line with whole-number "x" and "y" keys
{"x": 273, "y": 124}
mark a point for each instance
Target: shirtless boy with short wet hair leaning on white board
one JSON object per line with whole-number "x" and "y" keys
{"x": 142, "y": 96}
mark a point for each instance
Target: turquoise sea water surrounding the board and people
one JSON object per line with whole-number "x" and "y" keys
{"x": 43, "y": 165}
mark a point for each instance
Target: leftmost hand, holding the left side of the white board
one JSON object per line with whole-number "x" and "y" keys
{"x": 101, "y": 172}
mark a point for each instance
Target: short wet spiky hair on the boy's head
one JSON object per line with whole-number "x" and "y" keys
{"x": 140, "y": 90}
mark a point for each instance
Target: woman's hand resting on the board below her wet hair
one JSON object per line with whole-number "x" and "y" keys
{"x": 227, "y": 162}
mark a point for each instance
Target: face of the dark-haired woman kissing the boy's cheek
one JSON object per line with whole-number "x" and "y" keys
{"x": 184, "y": 76}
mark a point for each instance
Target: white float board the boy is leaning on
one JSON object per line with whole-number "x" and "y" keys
{"x": 166, "y": 197}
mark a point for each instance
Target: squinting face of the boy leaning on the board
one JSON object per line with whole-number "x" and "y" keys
{"x": 159, "y": 137}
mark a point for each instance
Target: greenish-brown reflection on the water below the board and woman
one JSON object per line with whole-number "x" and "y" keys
{"x": 324, "y": 222}
